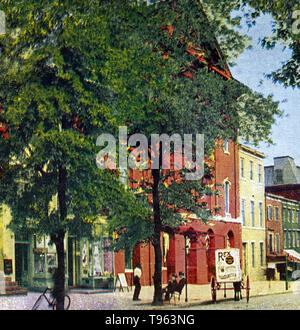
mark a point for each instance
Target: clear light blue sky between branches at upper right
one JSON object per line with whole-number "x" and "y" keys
{"x": 250, "y": 69}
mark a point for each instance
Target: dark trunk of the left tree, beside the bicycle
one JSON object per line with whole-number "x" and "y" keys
{"x": 58, "y": 239}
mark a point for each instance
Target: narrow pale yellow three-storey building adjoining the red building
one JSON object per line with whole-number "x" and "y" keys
{"x": 252, "y": 206}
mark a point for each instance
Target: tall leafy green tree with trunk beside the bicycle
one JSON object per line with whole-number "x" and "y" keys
{"x": 55, "y": 103}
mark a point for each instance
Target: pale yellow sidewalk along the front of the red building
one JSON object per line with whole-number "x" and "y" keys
{"x": 201, "y": 294}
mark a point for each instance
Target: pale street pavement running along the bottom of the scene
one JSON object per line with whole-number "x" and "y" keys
{"x": 123, "y": 301}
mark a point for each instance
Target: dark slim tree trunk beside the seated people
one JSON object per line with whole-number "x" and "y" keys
{"x": 157, "y": 298}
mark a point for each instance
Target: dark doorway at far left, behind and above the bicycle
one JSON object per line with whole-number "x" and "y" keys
{"x": 21, "y": 263}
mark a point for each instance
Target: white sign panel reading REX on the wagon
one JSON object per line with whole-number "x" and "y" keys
{"x": 228, "y": 265}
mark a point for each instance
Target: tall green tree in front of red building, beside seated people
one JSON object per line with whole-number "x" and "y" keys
{"x": 180, "y": 92}
